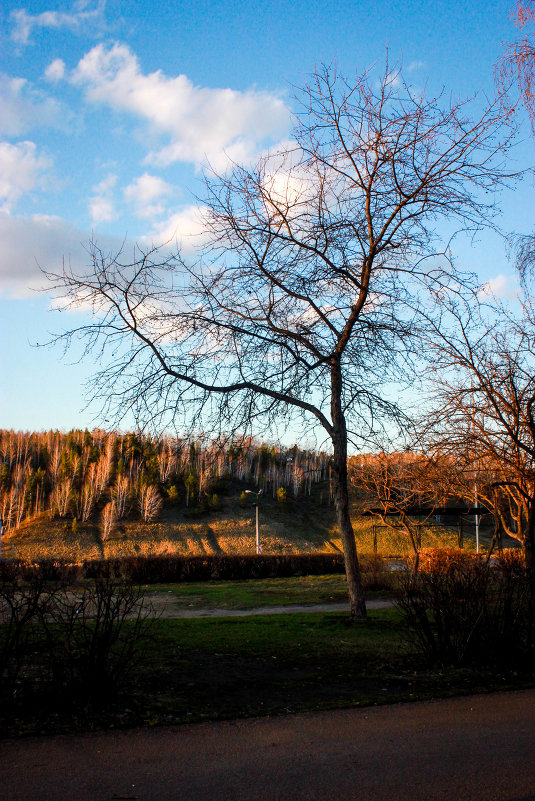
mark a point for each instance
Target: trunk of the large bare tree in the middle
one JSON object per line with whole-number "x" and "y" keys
{"x": 355, "y": 590}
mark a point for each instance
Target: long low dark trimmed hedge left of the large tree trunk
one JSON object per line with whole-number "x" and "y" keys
{"x": 163, "y": 569}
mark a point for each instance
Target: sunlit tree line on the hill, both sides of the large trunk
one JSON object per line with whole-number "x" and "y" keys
{"x": 104, "y": 477}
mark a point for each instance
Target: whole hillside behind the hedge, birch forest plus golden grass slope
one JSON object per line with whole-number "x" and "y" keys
{"x": 103, "y": 494}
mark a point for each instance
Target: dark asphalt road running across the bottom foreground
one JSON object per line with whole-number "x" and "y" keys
{"x": 479, "y": 748}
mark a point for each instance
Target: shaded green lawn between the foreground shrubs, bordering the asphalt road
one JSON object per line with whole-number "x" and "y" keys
{"x": 217, "y": 668}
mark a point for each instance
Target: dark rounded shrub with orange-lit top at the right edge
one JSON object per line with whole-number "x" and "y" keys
{"x": 460, "y": 609}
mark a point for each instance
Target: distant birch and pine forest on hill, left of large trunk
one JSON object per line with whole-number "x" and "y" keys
{"x": 108, "y": 476}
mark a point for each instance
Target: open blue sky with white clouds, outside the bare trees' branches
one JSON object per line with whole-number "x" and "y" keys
{"x": 108, "y": 111}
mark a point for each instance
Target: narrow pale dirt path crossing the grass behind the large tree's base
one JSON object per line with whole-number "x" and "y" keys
{"x": 167, "y": 607}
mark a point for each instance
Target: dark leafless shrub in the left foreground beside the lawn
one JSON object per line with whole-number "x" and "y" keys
{"x": 67, "y": 647}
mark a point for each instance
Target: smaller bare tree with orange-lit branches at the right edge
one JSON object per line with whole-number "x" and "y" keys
{"x": 484, "y": 410}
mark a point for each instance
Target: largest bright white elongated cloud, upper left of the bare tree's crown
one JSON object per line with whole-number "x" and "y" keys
{"x": 202, "y": 124}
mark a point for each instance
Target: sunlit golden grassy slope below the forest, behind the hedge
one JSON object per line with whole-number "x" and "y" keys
{"x": 296, "y": 525}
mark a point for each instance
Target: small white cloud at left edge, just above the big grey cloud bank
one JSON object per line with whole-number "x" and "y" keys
{"x": 21, "y": 170}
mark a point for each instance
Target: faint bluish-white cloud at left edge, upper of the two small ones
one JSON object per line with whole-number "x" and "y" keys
{"x": 22, "y": 107}
